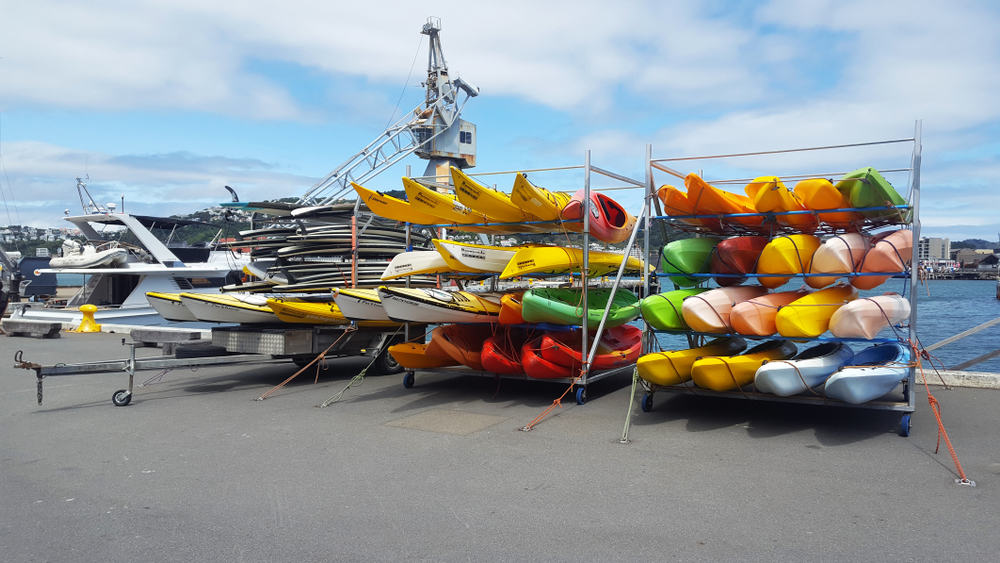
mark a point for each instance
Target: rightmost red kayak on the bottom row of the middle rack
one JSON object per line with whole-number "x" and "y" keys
{"x": 619, "y": 346}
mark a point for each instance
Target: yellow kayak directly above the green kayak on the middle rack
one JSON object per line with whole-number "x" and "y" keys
{"x": 561, "y": 260}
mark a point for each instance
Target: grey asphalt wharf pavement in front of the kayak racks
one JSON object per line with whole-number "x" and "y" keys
{"x": 196, "y": 470}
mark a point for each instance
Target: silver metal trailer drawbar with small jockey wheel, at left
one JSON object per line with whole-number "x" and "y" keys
{"x": 129, "y": 365}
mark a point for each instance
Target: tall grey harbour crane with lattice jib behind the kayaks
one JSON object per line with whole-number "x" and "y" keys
{"x": 434, "y": 131}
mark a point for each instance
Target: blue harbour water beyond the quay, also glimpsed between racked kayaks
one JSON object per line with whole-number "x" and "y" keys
{"x": 945, "y": 308}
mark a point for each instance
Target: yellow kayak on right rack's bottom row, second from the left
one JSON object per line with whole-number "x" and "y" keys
{"x": 725, "y": 373}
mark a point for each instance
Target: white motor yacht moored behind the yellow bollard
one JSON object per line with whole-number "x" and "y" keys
{"x": 151, "y": 266}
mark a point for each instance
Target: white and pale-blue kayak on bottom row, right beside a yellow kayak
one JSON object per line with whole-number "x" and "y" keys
{"x": 807, "y": 370}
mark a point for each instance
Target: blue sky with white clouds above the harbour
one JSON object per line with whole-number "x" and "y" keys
{"x": 167, "y": 101}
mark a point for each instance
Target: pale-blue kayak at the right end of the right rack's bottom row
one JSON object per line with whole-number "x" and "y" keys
{"x": 874, "y": 372}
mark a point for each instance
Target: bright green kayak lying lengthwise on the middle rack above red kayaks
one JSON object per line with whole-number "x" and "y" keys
{"x": 562, "y": 306}
